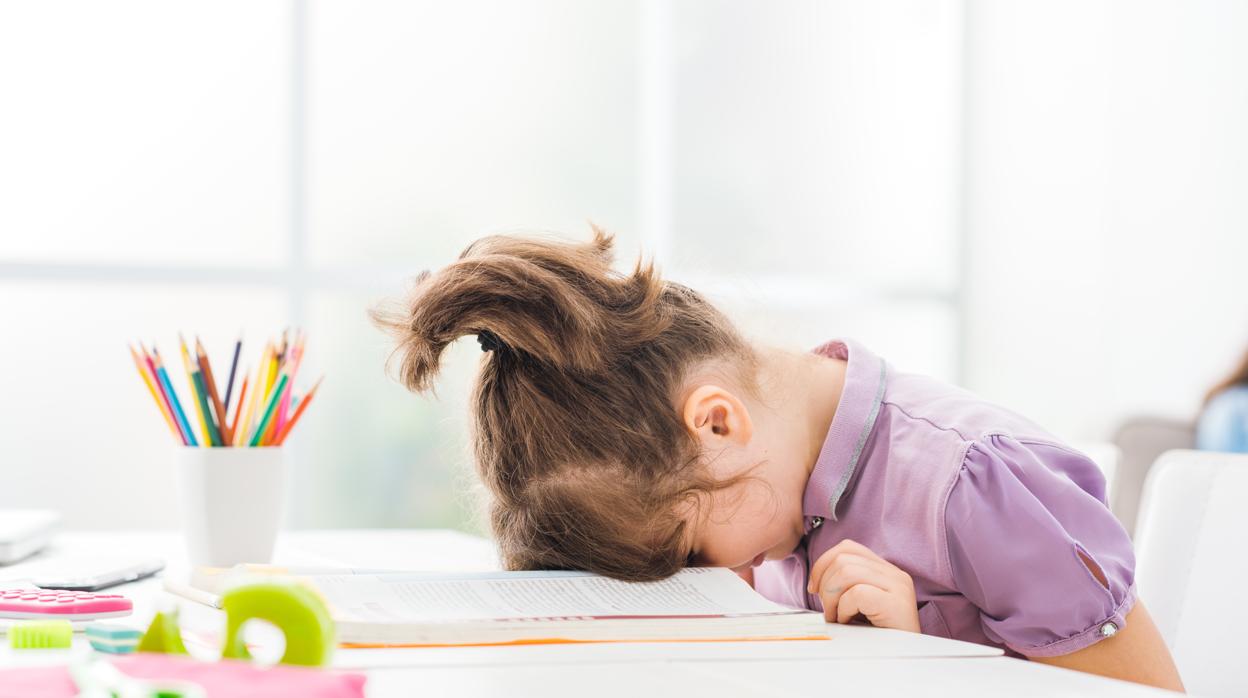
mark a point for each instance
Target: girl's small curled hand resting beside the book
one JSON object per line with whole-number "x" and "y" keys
{"x": 853, "y": 580}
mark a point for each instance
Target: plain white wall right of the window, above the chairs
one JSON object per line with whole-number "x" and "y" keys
{"x": 1108, "y": 219}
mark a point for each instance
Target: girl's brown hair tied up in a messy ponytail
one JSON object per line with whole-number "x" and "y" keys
{"x": 576, "y": 429}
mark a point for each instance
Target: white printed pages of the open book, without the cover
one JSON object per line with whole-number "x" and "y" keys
{"x": 416, "y": 597}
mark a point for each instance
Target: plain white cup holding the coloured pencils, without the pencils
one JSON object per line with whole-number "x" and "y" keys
{"x": 232, "y": 501}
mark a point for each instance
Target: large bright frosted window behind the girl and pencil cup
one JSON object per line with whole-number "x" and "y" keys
{"x": 254, "y": 165}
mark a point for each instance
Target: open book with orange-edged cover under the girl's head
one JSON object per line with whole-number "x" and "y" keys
{"x": 698, "y": 604}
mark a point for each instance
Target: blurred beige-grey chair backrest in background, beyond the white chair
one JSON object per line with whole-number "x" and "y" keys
{"x": 1140, "y": 441}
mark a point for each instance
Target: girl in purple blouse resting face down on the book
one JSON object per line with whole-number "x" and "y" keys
{"x": 622, "y": 426}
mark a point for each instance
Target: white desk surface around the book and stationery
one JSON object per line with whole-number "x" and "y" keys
{"x": 857, "y": 660}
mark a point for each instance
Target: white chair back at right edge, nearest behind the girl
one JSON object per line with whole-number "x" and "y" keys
{"x": 1192, "y": 565}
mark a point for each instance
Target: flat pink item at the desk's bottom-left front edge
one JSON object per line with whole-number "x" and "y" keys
{"x": 228, "y": 679}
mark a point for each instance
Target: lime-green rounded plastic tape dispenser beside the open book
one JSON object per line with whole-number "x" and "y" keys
{"x": 298, "y": 611}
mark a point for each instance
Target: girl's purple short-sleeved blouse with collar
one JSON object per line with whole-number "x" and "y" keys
{"x": 990, "y": 515}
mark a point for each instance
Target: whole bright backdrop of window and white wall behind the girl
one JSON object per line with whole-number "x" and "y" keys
{"x": 1041, "y": 202}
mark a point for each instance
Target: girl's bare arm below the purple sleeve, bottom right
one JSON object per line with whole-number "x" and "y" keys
{"x": 1136, "y": 654}
